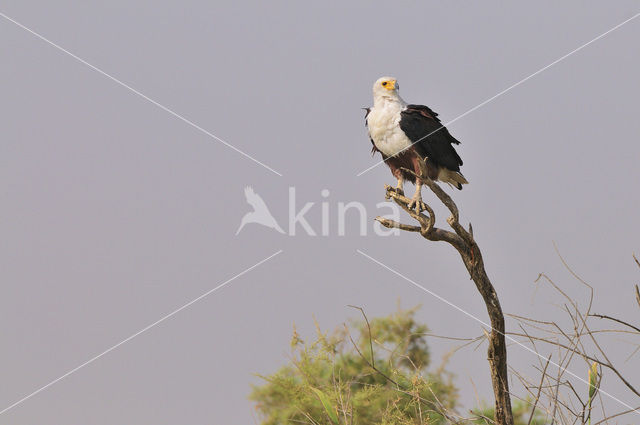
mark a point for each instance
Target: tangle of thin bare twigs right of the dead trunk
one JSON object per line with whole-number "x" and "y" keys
{"x": 578, "y": 340}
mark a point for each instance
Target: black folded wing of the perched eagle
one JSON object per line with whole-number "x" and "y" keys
{"x": 431, "y": 138}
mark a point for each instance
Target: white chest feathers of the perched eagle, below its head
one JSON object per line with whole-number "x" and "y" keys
{"x": 384, "y": 128}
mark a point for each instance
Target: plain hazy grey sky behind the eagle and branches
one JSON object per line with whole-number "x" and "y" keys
{"x": 115, "y": 213}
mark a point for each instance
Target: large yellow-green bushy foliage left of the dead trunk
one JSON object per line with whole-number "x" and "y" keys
{"x": 329, "y": 381}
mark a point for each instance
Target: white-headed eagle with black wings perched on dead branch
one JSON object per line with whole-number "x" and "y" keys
{"x": 411, "y": 137}
